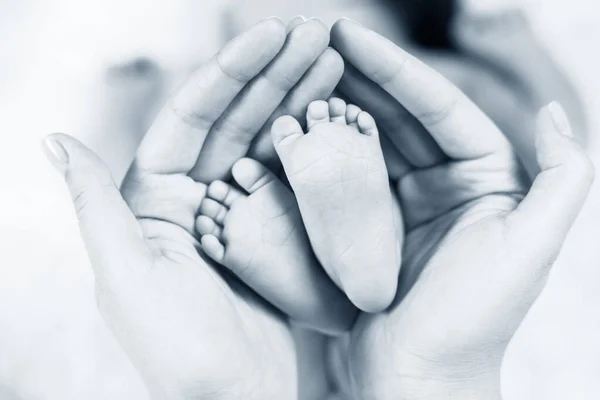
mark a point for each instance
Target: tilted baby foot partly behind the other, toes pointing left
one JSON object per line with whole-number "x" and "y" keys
{"x": 258, "y": 234}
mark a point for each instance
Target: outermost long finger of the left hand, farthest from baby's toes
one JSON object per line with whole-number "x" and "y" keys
{"x": 174, "y": 141}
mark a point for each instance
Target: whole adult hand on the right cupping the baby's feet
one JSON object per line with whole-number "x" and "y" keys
{"x": 478, "y": 247}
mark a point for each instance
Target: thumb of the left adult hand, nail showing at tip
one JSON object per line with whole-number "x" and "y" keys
{"x": 110, "y": 231}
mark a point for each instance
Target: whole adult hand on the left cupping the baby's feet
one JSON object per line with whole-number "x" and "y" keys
{"x": 190, "y": 328}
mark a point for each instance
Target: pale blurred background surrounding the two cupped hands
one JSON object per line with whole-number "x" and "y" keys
{"x": 99, "y": 69}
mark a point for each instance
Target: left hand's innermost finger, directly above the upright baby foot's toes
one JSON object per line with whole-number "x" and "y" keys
{"x": 317, "y": 84}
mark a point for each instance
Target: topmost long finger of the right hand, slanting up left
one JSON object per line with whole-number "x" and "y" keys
{"x": 461, "y": 129}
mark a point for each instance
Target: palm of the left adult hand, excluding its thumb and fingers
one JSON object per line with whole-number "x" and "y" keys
{"x": 218, "y": 338}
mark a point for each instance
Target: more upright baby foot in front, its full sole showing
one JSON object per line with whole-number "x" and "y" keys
{"x": 339, "y": 177}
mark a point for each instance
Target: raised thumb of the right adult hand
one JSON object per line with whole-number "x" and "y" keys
{"x": 560, "y": 189}
